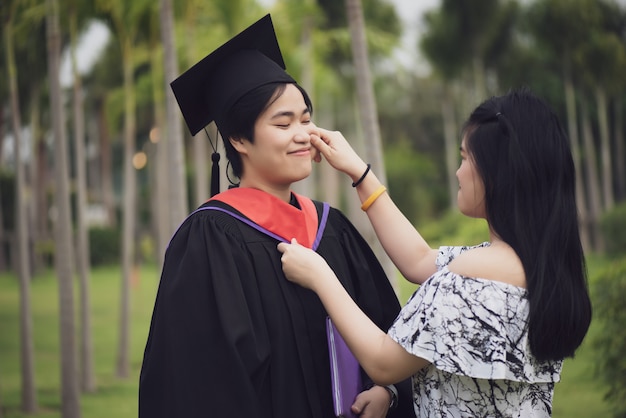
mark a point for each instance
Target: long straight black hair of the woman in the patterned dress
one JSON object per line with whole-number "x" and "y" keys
{"x": 522, "y": 154}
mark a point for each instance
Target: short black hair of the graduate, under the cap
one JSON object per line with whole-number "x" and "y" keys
{"x": 238, "y": 122}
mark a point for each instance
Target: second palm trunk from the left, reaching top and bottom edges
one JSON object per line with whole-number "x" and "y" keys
{"x": 70, "y": 407}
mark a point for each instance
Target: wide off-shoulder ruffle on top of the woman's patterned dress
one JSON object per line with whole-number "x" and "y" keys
{"x": 471, "y": 327}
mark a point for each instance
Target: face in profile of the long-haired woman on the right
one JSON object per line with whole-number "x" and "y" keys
{"x": 471, "y": 194}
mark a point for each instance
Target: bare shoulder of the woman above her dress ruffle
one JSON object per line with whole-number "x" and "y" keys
{"x": 493, "y": 263}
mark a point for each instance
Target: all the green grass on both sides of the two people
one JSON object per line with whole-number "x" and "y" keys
{"x": 579, "y": 394}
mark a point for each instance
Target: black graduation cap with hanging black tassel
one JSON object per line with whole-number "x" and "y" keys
{"x": 206, "y": 91}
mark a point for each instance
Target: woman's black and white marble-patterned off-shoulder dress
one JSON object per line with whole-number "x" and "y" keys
{"x": 473, "y": 332}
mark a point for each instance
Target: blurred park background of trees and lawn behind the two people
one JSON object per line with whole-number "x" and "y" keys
{"x": 97, "y": 168}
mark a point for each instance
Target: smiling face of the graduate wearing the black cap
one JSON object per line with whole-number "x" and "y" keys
{"x": 281, "y": 152}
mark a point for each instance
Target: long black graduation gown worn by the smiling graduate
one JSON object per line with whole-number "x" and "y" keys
{"x": 230, "y": 336}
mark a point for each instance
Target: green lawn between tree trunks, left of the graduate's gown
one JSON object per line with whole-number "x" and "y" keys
{"x": 115, "y": 397}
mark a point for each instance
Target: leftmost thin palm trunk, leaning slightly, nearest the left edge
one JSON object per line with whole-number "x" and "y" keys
{"x": 27, "y": 357}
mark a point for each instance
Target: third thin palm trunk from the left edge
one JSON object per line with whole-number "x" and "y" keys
{"x": 88, "y": 382}
